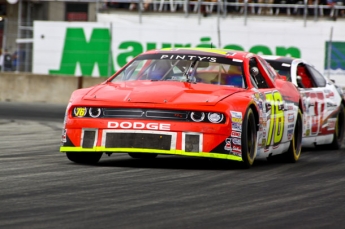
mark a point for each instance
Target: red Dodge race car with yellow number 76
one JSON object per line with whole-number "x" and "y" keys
{"x": 208, "y": 103}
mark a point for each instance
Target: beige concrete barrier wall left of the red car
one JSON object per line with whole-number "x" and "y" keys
{"x": 52, "y": 89}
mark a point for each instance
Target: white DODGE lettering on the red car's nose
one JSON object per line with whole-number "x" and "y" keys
{"x": 138, "y": 125}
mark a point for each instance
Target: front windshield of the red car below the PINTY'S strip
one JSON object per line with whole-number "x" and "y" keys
{"x": 194, "y": 71}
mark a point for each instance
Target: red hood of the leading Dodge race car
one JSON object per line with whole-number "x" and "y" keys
{"x": 159, "y": 92}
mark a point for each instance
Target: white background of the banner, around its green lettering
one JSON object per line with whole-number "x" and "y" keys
{"x": 267, "y": 31}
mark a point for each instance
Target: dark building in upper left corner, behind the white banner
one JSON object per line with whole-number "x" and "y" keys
{"x": 17, "y": 17}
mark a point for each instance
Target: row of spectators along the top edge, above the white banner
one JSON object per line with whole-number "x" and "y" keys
{"x": 331, "y": 8}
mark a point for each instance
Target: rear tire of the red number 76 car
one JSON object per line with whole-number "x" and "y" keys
{"x": 295, "y": 148}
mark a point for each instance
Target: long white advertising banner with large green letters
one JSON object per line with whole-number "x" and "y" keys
{"x": 98, "y": 49}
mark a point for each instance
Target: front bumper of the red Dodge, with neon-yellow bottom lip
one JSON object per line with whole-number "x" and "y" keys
{"x": 195, "y": 140}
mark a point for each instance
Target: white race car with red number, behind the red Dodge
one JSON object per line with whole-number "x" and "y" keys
{"x": 324, "y": 116}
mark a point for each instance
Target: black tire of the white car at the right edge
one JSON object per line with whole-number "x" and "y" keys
{"x": 338, "y": 135}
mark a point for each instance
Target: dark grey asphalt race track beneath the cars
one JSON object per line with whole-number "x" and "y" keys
{"x": 40, "y": 188}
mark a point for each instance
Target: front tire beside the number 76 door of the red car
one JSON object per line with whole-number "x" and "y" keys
{"x": 248, "y": 139}
